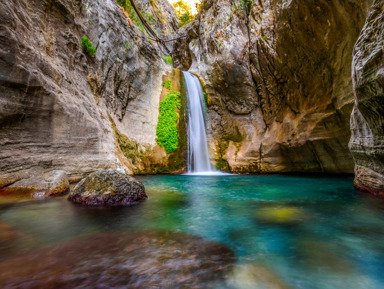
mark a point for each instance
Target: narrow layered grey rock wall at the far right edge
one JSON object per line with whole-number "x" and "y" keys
{"x": 367, "y": 121}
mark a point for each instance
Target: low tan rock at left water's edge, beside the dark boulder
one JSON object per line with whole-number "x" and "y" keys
{"x": 53, "y": 183}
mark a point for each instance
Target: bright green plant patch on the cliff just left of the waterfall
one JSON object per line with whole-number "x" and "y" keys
{"x": 166, "y": 131}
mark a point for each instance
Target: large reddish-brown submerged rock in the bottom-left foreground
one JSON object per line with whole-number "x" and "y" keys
{"x": 122, "y": 260}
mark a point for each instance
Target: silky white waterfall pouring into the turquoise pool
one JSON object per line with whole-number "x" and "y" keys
{"x": 198, "y": 155}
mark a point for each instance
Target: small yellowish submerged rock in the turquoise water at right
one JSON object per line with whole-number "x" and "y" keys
{"x": 281, "y": 215}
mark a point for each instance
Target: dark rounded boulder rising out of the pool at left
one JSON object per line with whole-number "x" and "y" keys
{"x": 108, "y": 188}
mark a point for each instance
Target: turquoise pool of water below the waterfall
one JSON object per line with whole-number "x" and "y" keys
{"x": 286, "y": 231}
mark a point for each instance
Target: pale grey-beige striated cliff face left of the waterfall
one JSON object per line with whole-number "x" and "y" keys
{"x": 55, "y": 100}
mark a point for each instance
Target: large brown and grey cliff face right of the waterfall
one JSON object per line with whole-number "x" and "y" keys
{"x": 278, "y": 79}
